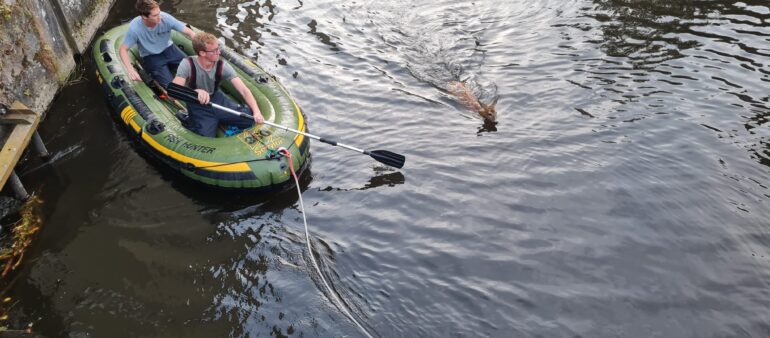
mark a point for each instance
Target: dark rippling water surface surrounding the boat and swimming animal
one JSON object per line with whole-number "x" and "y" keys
{"x": 623, "y": 193}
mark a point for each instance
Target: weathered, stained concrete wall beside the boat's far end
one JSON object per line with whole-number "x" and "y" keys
{"x": 38, "y": 41}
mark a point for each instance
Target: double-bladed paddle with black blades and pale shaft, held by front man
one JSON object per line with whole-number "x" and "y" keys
{"x": 189, "y": 95}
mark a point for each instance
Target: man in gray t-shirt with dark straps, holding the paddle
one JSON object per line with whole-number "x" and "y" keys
{"x": 209, "y": 71}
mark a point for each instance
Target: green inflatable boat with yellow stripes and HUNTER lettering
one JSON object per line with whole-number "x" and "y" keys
{"x": 248, "y": 159}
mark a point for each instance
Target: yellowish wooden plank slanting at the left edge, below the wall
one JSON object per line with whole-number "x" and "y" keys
{"x": 17, "y": 141}
